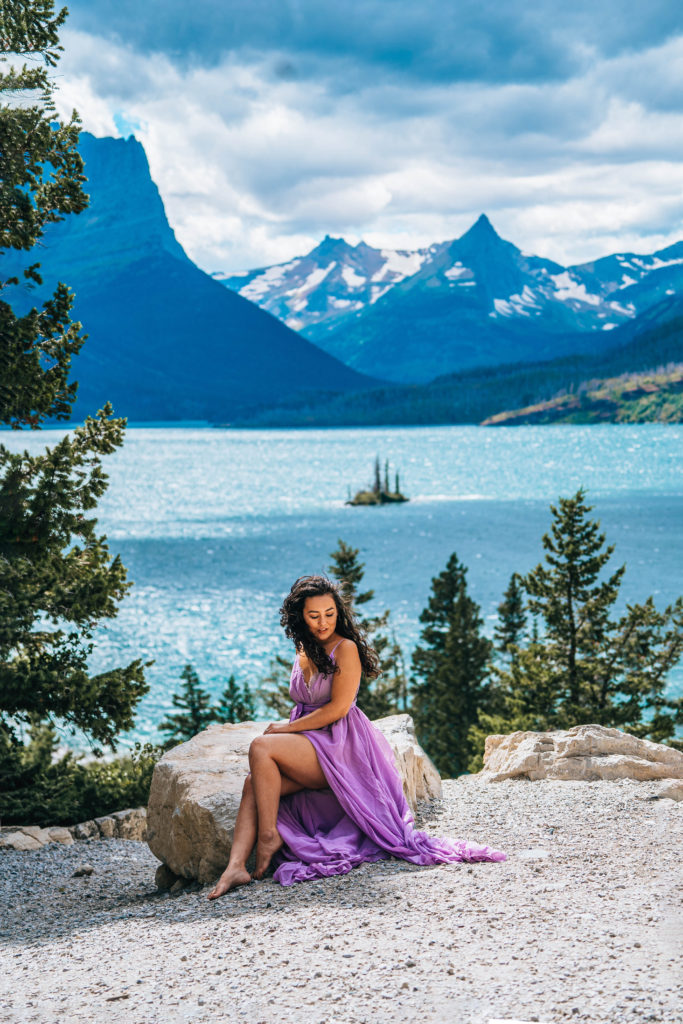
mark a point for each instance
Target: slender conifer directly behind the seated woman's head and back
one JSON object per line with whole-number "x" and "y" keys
{"x": 382, "y": 697}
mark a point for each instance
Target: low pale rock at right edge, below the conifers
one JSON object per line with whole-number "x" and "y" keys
{"x": 585, "y": 753}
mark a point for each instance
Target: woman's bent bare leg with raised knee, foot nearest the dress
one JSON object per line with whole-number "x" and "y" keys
{"x": 271, "y": 758}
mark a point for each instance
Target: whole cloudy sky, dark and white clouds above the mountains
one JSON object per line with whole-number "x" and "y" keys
{"x": 271, "y": 123}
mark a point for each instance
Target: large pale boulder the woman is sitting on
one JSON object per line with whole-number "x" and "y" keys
{"x": 197, "y": 788}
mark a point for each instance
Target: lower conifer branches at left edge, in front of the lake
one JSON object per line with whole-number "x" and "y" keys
{"x": 57, "y": 583}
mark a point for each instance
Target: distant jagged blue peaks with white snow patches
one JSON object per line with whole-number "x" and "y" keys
{"x": 479, "y": 301}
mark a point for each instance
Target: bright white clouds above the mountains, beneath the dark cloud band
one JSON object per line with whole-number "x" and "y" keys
{"x": 255, "y": 168}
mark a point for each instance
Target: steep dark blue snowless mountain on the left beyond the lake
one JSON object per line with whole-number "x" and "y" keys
{"x": 165, "y": 340}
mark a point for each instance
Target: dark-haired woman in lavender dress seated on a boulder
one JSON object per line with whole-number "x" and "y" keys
{"x": 324, "y": 795}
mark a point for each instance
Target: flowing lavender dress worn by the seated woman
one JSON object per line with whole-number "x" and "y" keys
{"x": 364, "y": 816}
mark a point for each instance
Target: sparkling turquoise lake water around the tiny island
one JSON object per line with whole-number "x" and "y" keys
{"x": 215, "y": 526}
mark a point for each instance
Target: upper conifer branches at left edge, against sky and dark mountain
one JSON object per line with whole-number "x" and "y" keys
{"x": 41, "y": 179}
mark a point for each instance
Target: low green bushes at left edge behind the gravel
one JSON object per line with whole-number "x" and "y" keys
{"x": 37, "y": 789}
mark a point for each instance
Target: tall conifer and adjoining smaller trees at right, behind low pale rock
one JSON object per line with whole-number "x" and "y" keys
{"x": 585, "y": 666}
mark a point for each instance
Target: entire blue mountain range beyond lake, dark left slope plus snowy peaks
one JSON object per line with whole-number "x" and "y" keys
{"x": 456, "y": 332}
